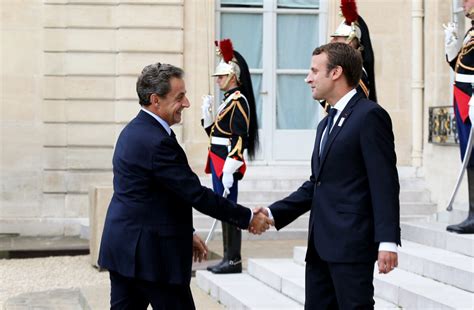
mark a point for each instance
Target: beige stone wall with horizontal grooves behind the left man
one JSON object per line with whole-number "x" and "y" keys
{"x": 68, "y": 93}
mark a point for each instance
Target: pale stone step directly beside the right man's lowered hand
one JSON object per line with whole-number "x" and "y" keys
{"x": 441, "y": 265}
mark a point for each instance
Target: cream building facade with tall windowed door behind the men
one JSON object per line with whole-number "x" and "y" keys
{"x": 68, "y": 72}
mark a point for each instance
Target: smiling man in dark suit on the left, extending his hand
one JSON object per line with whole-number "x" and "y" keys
{"x": 147, "y": 243}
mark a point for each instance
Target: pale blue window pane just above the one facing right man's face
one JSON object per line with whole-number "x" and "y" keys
{"x": 297, "y": 37}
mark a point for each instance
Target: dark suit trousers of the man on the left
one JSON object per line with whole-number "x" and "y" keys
{"x": 135, "y": 294}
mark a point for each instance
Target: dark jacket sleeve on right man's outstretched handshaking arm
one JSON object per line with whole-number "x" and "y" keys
{"x": 290, "y": 208}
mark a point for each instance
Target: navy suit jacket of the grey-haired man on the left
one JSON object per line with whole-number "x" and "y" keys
{"x": 149, "y": 226}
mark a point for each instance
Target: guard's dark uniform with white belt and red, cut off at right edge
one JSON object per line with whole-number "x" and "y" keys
{"x": 463, "y": 66}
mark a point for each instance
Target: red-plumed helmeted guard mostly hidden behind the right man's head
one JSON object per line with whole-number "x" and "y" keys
{"x": 354, "y": 31}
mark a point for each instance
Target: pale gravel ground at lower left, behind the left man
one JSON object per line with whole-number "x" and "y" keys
{"x": 41, "y": 274}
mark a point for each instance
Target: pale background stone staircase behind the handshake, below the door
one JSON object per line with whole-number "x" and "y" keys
{"x": 263, "y": 185}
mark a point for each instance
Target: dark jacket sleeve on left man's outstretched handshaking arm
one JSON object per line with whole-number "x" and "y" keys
{"x": 172, "y": 171}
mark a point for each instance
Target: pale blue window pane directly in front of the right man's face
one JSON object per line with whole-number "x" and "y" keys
{"x": 296, "y": 109}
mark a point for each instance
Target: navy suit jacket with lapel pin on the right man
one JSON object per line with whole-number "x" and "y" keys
{"x": 353, "y": 191}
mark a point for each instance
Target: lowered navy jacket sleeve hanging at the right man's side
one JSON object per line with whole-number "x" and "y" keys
{"x": 378, "y": 151}
